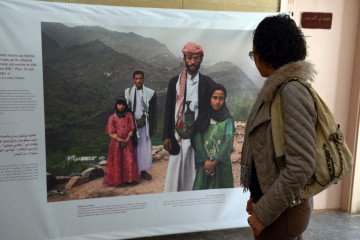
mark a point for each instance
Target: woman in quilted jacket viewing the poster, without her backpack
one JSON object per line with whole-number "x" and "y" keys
{"x": 279, "y": 51}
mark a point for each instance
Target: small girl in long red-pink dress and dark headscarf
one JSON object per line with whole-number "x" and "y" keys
{"x": 121, "y": 163}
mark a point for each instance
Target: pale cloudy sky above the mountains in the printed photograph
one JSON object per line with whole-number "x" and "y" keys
{"x": 218, "y": 44}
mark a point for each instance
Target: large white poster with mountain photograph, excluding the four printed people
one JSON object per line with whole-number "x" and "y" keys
{"x": 61, "y": 67}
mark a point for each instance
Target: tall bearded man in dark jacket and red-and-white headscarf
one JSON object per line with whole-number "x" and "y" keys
{"x": 192, "y": 88}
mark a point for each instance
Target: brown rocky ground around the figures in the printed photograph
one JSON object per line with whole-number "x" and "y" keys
{"x": 95, "y": 188}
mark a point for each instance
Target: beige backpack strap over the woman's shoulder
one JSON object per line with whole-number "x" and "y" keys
{"x": 277, "y": 126}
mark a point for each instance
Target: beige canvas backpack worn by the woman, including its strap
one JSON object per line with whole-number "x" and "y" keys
{"x": 333, "y": 157}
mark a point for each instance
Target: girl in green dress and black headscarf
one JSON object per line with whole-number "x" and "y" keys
{"x": 213, "y": 143}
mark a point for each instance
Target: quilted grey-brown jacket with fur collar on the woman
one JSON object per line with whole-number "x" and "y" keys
{"x": 280, "y": 190}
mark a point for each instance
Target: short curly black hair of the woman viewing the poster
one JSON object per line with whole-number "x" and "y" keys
{"x": 278, "y": 41}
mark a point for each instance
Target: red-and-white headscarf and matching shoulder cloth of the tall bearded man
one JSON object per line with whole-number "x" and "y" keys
{"x": 190, "y": 49}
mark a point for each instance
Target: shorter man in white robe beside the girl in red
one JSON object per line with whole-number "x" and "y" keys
{"x": 142, "y": 102}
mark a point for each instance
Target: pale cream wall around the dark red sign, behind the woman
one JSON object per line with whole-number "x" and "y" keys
{"x": 333, "y": 53}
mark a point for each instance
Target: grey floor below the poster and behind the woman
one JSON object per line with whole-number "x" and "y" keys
{"x": 326, "y": 225}
